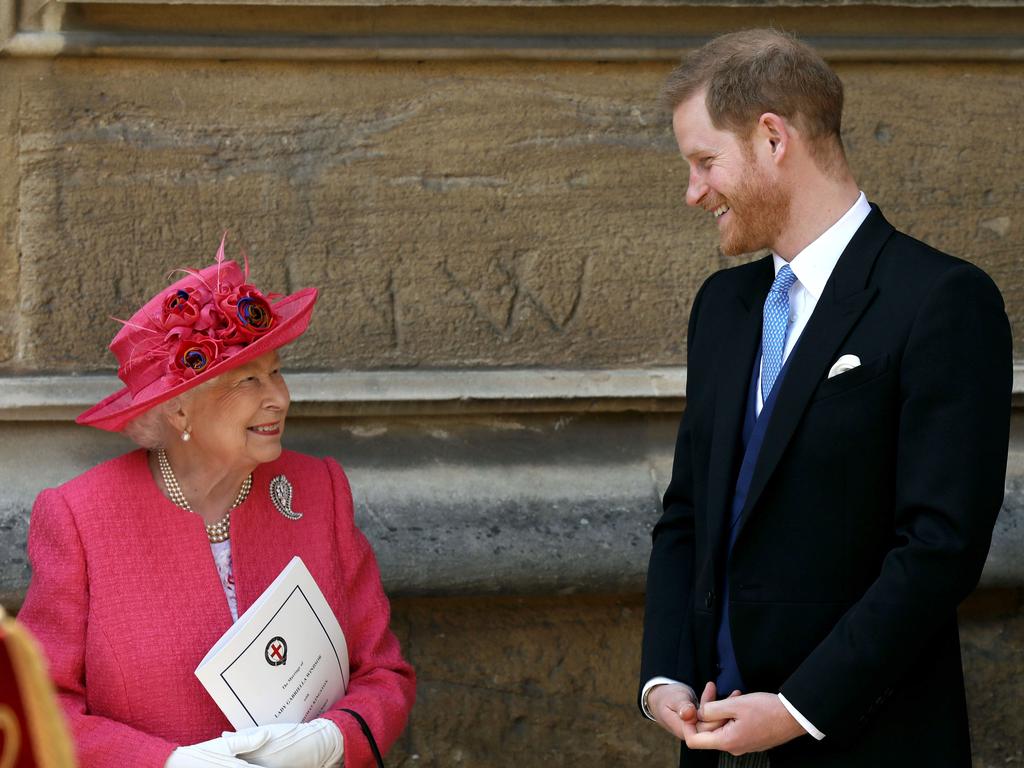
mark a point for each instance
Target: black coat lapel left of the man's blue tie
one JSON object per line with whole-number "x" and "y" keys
{"x": 735, "y": 367}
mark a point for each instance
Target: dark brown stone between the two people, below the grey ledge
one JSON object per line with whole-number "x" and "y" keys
{"x": 542, "y": 681}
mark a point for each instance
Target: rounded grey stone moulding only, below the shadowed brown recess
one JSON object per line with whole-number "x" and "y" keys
{"x": 434, "y": 536}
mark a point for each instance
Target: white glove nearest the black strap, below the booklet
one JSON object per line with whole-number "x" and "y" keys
{"x": 314, "y": 745}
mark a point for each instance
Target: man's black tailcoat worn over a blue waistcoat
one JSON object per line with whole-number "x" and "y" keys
{"x": 871, "y": 511}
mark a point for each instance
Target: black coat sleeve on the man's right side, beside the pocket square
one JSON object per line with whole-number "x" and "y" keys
{"x": 956, "y": 379}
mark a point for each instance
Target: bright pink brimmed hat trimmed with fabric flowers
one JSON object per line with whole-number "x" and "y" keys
{"x": 206, "y": 324}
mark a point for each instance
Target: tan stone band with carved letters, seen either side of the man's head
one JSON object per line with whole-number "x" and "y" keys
{"x": 454, "y": 215}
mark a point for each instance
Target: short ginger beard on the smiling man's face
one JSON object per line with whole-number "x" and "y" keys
{"x": 758, "y": 211}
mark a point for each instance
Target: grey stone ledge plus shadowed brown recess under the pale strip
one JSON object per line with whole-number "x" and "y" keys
{"x": 525, "y": 504}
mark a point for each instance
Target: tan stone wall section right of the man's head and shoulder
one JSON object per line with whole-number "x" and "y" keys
{"x": 932, "y": 146}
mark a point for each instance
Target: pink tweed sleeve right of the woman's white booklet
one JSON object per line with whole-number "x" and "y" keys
{"x": 382, "y": 685}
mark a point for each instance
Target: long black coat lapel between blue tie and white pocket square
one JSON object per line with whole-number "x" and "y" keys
{"x": 844, "y": 300}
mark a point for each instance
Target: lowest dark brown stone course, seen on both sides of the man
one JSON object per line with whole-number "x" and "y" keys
{"x": 516, "y": 682}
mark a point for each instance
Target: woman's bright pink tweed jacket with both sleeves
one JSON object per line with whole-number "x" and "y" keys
{"x": 125, "y": 601}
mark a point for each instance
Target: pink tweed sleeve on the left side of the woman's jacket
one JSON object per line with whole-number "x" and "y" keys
{"x": 57, "y": 612}
